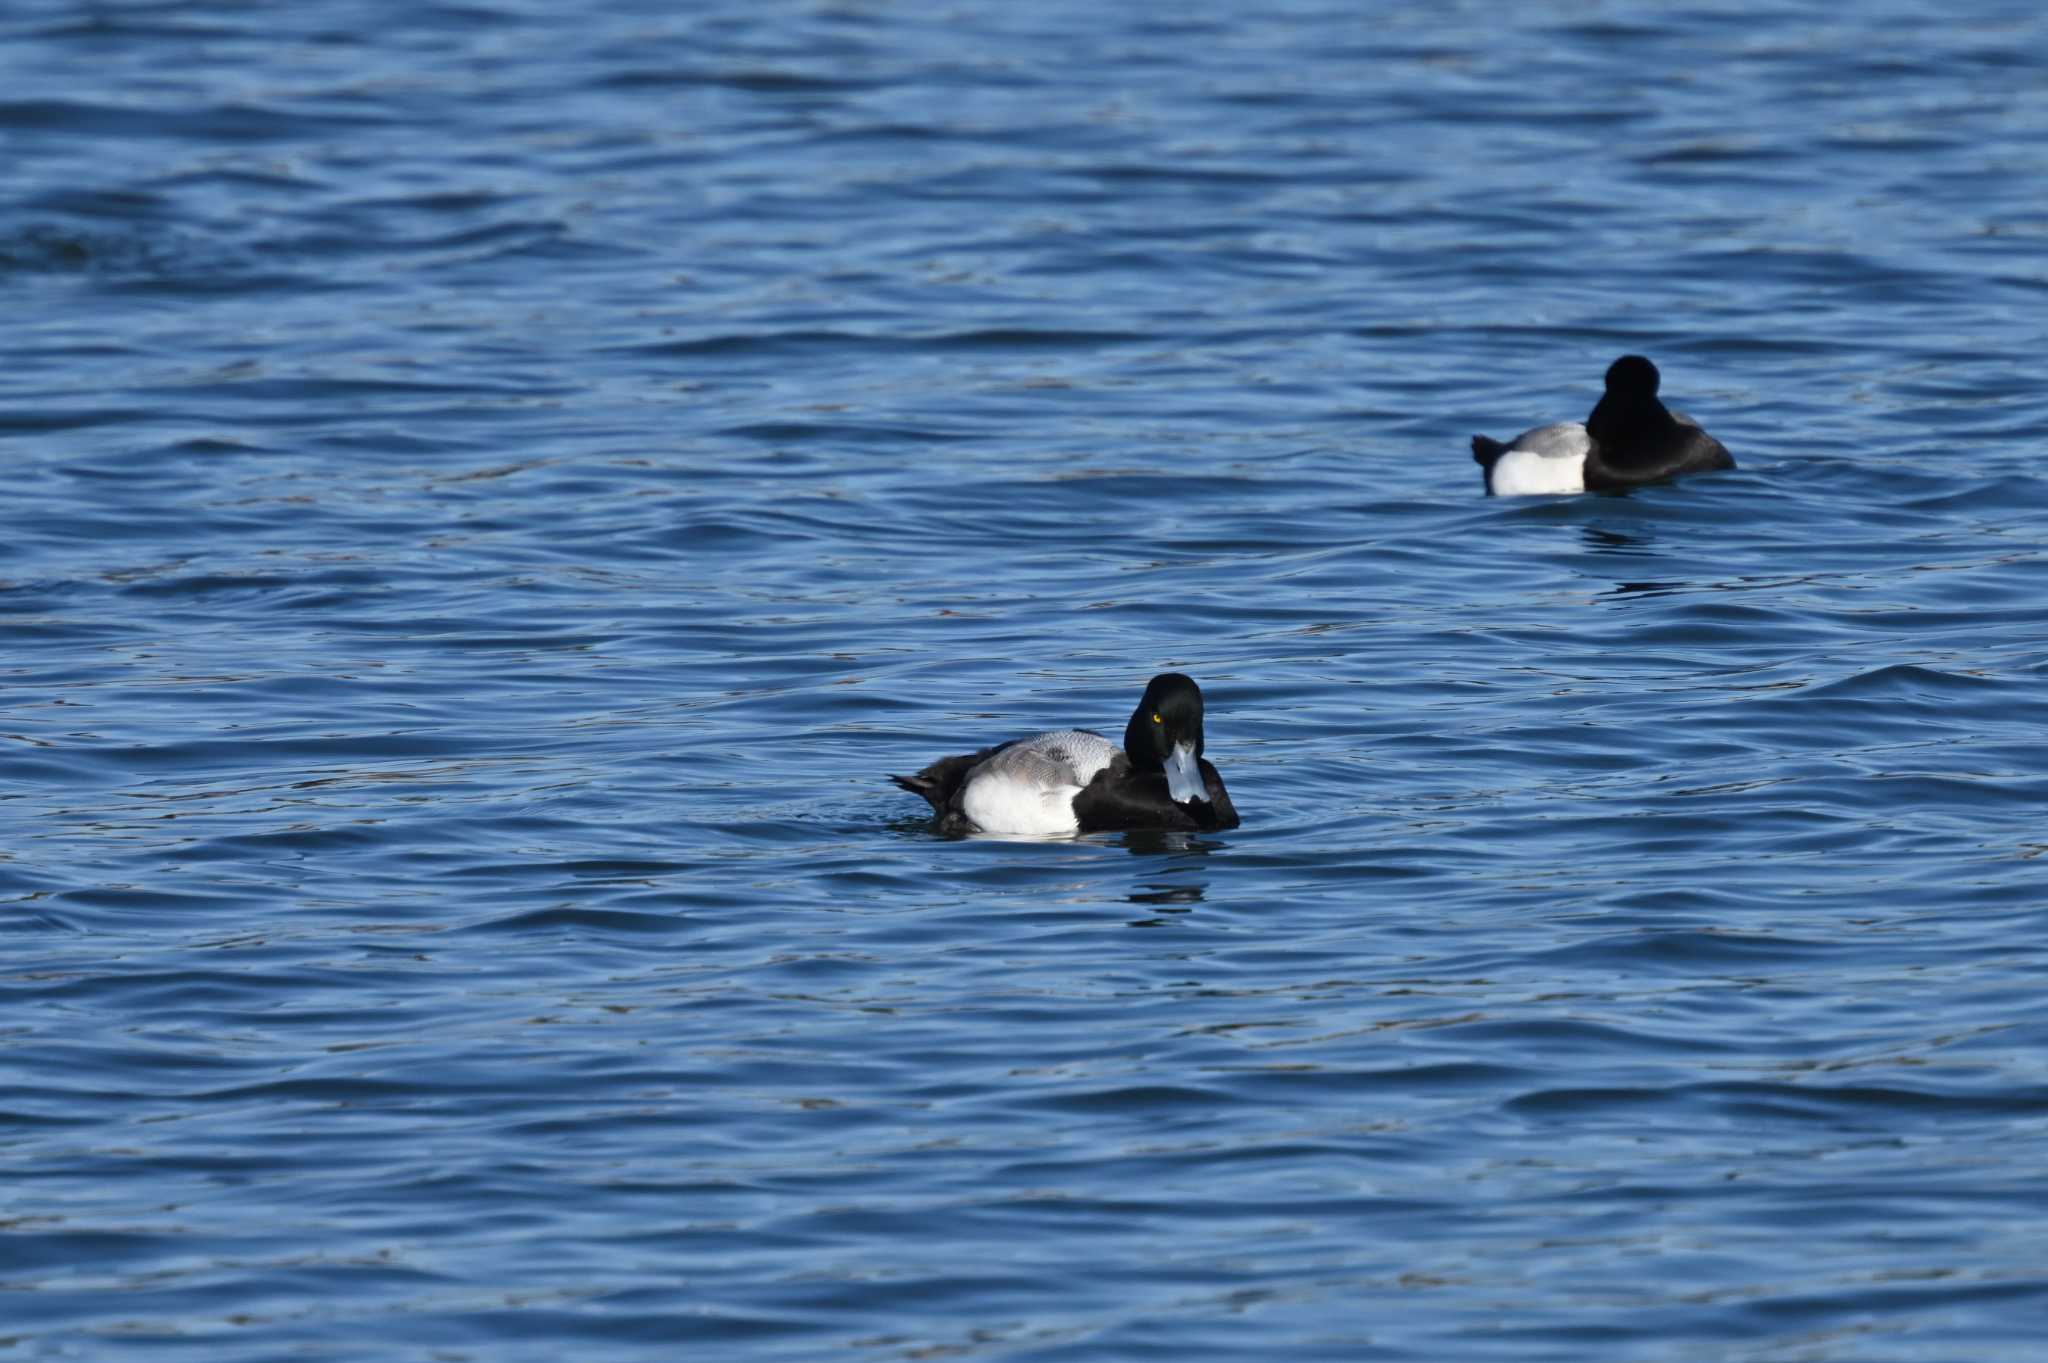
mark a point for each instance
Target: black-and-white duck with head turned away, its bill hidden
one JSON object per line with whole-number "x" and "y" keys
{"x": 1631, "y": 439}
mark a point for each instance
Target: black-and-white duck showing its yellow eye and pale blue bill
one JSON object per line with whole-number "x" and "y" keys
{"x": 1074, "y": 781}
